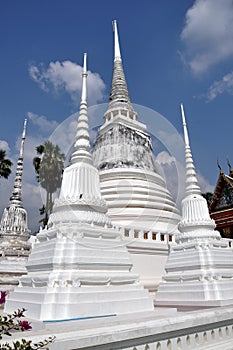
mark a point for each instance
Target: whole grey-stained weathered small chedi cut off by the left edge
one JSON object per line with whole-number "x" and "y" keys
{"x": 14, "y": 232}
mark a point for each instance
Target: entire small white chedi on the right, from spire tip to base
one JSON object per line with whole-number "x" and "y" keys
{"x": 197, "y": 274}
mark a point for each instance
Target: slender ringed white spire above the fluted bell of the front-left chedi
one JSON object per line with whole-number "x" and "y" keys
{"x": 82, "y": 143}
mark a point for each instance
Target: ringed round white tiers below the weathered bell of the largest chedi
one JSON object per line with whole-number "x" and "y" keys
{"x": 138, "y": 199}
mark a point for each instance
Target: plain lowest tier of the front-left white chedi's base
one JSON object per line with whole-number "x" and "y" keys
{"x": 64, "y": 303}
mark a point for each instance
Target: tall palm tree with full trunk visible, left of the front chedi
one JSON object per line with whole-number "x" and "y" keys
{"x": 49, "y": 169}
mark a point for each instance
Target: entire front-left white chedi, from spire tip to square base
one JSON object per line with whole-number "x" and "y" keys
{"x": 79, "y": 265}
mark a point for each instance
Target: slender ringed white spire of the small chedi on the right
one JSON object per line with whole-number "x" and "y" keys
{"x": 192, "y": 186}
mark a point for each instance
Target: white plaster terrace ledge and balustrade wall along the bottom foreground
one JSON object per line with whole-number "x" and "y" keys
{"x": 205, "y": 329}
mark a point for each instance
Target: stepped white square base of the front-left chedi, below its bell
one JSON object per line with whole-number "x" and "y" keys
{"x": 77, "y": 271}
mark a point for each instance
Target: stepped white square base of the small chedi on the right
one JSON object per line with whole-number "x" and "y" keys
{"x": 199, "y": 273}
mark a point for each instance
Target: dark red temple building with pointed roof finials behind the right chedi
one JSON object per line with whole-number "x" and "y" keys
{"x": 221, "y": 206}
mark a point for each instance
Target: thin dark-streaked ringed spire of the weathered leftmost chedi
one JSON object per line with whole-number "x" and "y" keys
{"x": 16, "y": 198}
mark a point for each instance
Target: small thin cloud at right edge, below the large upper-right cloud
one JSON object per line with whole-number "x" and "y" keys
{"x": 221, "y": 86}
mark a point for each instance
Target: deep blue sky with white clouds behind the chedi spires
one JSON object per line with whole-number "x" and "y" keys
{"x": 173, "y": 51}
